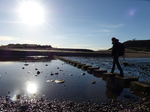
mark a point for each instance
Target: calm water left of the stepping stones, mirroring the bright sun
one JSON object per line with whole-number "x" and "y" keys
{"x": 24, "y": 77}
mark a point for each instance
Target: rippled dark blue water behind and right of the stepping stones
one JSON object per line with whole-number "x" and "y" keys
{"x": 138, "y": 67}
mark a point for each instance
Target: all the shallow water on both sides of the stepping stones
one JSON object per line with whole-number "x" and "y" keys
{"x": 32, "y": 80}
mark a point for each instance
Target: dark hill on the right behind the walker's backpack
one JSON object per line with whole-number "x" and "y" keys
{"x": 138, "y": 45}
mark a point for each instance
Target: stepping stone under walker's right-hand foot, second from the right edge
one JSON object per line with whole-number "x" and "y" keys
{"x": 126, "y": 80}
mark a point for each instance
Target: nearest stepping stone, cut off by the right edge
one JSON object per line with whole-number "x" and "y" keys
{"x": 140, "y": 88}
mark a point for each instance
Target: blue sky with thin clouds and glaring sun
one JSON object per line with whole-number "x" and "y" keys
{"x": 85, "y": 24}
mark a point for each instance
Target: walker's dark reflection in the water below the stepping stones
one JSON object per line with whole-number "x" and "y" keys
{"x": 113, "y": 89}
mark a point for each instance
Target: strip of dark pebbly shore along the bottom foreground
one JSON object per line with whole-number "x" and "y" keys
{"x": 45, "y": 105}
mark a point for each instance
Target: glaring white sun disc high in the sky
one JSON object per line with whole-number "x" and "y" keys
{"x": 31, "y": 12}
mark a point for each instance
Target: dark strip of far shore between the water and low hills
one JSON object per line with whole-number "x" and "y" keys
{"x": 21, "y": 53}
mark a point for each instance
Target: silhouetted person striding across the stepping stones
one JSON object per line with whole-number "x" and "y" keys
{"x": 115, "y": 56}
